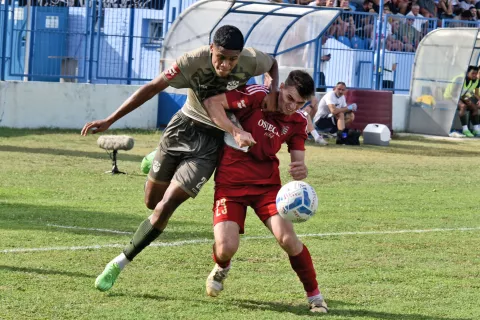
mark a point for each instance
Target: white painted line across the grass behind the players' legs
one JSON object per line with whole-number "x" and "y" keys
{"x": 202, "y": 241}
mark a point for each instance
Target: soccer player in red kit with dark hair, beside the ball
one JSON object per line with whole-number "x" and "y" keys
{"x": 252, "y": 178}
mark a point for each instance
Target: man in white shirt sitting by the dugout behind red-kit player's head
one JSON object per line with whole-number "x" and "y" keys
{"x": 333, "y": 114}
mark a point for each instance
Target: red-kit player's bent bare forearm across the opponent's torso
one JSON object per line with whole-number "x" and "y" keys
{"x": 216, "y": 107}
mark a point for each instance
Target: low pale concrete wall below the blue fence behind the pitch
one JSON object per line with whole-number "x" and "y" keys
{"x": 71, "y": 105}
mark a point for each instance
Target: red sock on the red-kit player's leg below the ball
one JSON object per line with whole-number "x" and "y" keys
{"x": 302, "y": 264}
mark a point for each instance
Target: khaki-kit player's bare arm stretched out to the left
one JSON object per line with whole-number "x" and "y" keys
{"x": 139, "y": 97}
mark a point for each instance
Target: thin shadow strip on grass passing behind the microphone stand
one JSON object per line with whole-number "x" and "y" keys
{"x": 122, "y": 156}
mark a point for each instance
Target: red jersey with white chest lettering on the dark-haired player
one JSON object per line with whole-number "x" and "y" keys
{"x": 237, "y": 170}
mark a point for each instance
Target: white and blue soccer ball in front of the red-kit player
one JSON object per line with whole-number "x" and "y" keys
{"x": 297, "y": 201}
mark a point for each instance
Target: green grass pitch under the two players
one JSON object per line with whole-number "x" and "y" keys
{"x": 396, "y": 236}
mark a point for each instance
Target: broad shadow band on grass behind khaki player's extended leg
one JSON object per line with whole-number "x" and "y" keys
{"x": 30, "y": 217}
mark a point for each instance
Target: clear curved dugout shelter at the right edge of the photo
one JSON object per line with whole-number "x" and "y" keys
{"x": 442, "y": 55}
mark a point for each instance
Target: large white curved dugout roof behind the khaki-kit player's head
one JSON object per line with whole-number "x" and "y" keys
{"x": 288, "y": 32}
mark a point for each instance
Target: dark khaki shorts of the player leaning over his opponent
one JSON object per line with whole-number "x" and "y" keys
{"x": 187, "y": 154}
